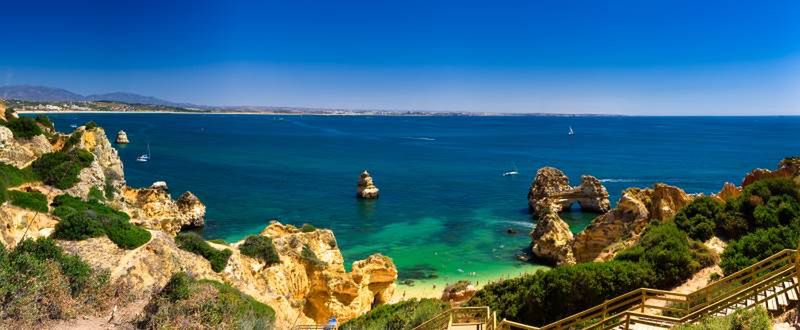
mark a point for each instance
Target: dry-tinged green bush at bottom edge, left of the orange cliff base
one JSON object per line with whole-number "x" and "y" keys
{"x": 188, "y": 303}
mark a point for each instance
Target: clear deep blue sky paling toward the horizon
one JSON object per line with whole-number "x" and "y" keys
{"x": 630, "y": 57}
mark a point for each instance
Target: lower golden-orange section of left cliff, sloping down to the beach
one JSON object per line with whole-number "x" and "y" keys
{"x": 298, "y": 290}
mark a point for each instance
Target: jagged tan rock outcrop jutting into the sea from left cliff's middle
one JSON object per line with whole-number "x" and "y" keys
{"x": 155, "y": 209}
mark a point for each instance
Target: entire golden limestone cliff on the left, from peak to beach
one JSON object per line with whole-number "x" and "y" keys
{"x": 300, "y": 289}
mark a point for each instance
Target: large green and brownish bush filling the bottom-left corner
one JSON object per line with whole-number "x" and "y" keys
{"x": 39, "y": 282}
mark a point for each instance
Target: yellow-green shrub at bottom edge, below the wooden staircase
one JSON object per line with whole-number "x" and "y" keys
{"x": 749, "y": 319}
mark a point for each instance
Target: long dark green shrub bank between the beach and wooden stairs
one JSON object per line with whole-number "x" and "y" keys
{"x": 549, "y": 295}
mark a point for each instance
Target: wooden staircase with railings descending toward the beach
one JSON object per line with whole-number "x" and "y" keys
{"x": 772, "y": 283}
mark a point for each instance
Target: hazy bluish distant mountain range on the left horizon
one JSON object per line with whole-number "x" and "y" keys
{"x": 51, "y": 94}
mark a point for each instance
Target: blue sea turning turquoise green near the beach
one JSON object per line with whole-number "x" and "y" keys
{"x": 444, "y": 207}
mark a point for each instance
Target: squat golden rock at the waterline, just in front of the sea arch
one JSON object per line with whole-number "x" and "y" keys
{"x": 552, "y": 240}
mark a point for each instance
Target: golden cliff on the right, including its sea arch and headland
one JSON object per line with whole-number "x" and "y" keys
{"x": 608, "y": 233}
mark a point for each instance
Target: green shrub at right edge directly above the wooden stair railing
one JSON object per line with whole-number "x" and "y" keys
{"x": 756, "y": 246}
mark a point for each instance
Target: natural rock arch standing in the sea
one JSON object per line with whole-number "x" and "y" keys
{"x": 550, "y": 191}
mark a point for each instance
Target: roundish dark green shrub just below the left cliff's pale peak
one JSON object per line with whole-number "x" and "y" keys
{"x": 60, "y": 169}
